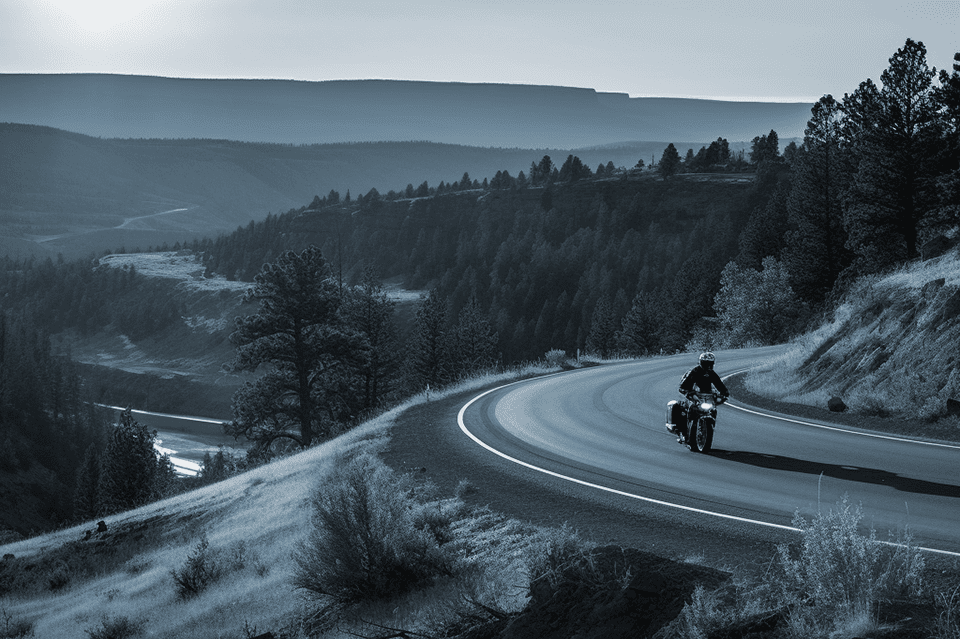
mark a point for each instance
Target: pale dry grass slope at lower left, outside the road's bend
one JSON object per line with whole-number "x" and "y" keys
{"x": 59, "y": 585}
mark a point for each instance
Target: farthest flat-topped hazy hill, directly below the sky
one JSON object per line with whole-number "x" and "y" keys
{"x": 489, "y": 115}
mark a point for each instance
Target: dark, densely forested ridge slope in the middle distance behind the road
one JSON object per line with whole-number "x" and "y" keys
{"x": 537, "y": 258}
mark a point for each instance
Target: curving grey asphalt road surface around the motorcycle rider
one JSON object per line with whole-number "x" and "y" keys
{"x": 603, "y": 427}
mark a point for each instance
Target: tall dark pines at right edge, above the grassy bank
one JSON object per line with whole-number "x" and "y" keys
{"x": 875, "y": 178}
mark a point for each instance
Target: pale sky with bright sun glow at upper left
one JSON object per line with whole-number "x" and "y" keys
{"x": 775, "y": 50}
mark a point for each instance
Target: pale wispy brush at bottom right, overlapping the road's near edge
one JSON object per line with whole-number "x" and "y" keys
{"x": 835, "y": 584}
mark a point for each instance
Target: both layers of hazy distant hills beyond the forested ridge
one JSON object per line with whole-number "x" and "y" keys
{"x": 98, "y": 162}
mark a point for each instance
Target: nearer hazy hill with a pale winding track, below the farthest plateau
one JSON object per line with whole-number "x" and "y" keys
{"x": 68, "y": 193}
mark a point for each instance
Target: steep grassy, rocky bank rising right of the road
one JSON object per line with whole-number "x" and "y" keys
{"x": 890, "y": 348}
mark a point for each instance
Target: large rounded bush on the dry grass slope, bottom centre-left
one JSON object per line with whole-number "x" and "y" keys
{"x": 373, "y": 536}
